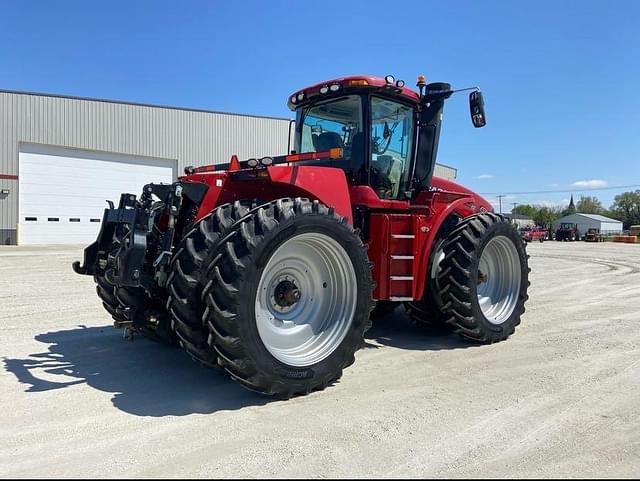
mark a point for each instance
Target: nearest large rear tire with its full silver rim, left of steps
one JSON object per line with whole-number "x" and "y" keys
{"x": 289, "y": 298}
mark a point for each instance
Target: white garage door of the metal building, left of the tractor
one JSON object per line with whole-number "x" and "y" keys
{"x": 63, "y": 191}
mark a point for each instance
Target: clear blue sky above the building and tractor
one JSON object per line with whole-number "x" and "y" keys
{"x": 561, "y": 79}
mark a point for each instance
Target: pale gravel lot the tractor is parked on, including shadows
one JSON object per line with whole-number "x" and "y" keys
{"x": 560, "y": 398}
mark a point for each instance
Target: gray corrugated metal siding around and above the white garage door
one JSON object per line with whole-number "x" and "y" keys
{"x": 188, "y": 136}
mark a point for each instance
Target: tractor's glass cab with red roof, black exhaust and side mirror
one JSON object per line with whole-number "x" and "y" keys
{"x": 388, "y": 134}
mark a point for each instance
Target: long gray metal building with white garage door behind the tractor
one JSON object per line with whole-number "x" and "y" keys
{"x": 61, "y": 157}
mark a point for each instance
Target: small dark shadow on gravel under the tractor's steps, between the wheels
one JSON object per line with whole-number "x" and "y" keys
{"x": 397, "y": 330}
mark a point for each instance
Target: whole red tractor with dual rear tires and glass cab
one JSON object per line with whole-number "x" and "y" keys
{"x": 270, "y": 267}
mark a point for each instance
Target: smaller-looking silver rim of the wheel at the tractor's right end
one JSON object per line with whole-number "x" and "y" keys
{"x": 499, "y": 278}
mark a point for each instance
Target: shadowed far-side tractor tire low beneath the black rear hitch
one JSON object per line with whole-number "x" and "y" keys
{"x": 133, "y": 305}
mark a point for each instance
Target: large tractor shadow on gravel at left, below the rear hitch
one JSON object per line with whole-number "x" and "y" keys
{"x": 146, "y": 378}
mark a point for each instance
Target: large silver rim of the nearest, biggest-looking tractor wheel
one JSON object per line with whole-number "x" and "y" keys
{"x": 301, "y": 329}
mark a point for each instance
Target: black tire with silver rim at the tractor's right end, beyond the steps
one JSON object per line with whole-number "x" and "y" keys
{"x": 484, "y": 278}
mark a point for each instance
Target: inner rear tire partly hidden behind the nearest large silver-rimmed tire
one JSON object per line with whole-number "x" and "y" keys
{"x": 195, "y": 252}
